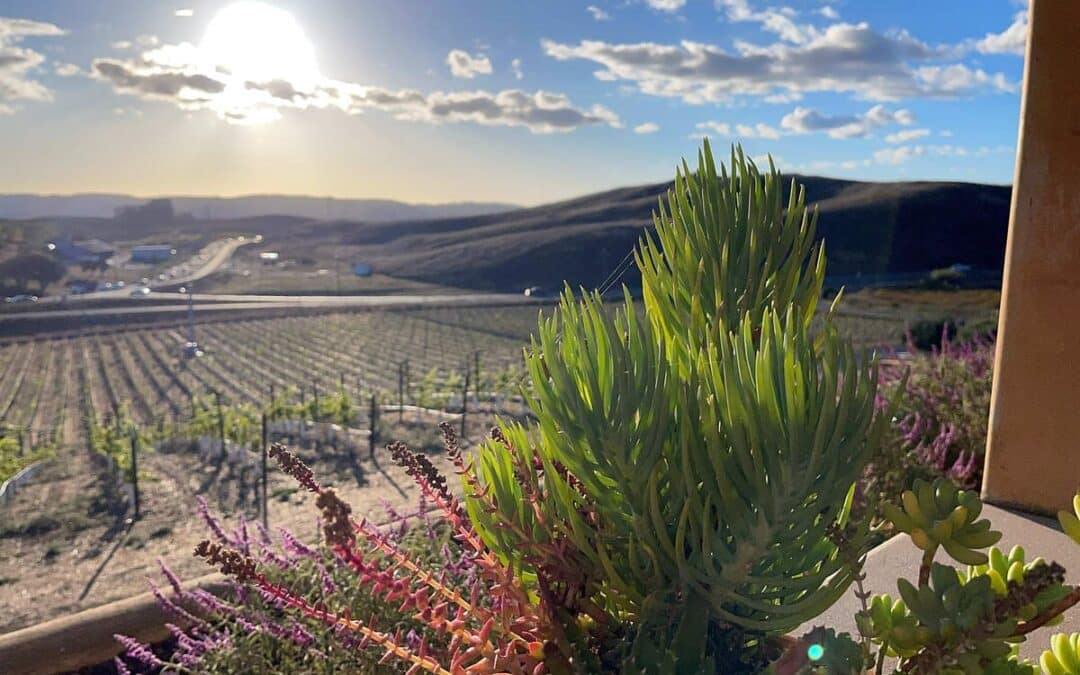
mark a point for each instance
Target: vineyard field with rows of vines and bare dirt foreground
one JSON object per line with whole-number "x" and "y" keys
{"x": 83, "y": 402}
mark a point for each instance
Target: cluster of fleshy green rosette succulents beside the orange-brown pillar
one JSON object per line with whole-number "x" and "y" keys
{"x": 967, "y": 622}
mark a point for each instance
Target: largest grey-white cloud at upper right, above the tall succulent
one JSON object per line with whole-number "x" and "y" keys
{"x": 844, "y": 58}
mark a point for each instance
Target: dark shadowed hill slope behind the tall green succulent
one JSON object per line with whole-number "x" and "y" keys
{"x": 870, "y": 228}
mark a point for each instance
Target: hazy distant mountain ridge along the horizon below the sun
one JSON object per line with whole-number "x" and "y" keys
{"x": 21, "y": 207}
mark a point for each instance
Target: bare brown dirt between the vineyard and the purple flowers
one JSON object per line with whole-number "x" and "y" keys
{"x": 69, "y": 547}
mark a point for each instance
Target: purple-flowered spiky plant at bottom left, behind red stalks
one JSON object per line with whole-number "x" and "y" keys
{"x": 245, "y": 631}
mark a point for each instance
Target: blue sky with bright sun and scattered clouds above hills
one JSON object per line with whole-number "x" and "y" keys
{"x": 508, "y": 101}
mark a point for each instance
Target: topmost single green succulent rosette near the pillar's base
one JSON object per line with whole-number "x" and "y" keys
{"x": 940, "y": 516}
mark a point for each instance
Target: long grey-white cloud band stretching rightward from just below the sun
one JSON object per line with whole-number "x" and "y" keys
{"x": 182, "y": 75}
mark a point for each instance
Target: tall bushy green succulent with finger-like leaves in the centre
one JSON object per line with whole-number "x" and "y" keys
{"x": 691, "y": 460}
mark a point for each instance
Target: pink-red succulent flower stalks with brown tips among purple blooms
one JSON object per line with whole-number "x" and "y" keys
{"x": 466, "y": 614}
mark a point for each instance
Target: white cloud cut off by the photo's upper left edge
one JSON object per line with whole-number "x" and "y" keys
{"x": 19, "y": 64}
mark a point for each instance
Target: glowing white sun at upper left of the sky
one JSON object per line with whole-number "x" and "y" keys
{"x": 259, "y": 43}
